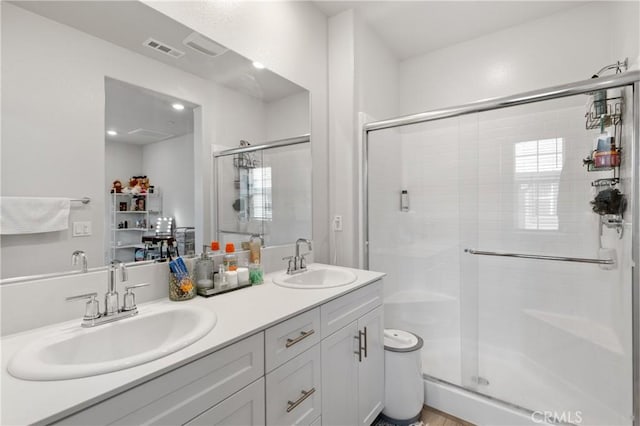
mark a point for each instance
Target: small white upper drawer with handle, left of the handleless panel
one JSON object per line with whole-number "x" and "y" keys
{"x": 291, "y": 337}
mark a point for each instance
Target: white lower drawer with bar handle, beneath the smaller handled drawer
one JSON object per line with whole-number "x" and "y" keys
{"x": 294, "y": 390}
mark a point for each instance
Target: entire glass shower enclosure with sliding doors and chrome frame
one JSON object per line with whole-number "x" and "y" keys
{"x": 511, "y": 252}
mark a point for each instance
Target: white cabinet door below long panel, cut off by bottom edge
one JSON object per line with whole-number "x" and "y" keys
{"x": 244, "y": 408}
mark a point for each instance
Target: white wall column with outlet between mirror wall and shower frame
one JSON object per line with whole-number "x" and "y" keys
{"x": 363, "y": 81}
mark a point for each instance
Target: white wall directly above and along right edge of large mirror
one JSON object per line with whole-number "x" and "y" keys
{"x": 290, "y": 38}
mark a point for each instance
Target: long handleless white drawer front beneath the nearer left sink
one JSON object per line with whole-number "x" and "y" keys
{"x": 184, "y": 393}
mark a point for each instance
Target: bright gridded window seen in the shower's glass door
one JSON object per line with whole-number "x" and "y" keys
{"x": 538, "y": 164}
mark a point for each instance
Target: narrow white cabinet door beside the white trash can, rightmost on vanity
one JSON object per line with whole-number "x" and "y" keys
{"x": 371, "y": 369}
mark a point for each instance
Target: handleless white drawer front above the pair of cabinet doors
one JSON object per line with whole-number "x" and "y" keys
{"x": 339, "y": 312}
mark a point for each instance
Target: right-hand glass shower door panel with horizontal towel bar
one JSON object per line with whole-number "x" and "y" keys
{"x": 553, "y": 336}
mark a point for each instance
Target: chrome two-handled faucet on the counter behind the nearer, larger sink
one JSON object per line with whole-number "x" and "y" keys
{"x": 112, "y": 310}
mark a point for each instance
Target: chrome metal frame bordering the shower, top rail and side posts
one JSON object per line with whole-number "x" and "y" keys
{"x": 630, "y": 78}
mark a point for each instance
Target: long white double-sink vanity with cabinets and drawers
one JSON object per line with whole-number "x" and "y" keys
{"x": 275, "y": 355}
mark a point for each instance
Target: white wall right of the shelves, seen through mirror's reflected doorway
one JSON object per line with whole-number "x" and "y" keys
{"x": 169, "y": 166}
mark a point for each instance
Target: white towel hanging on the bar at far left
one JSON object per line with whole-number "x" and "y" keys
{"x": 31, "y": 215}
